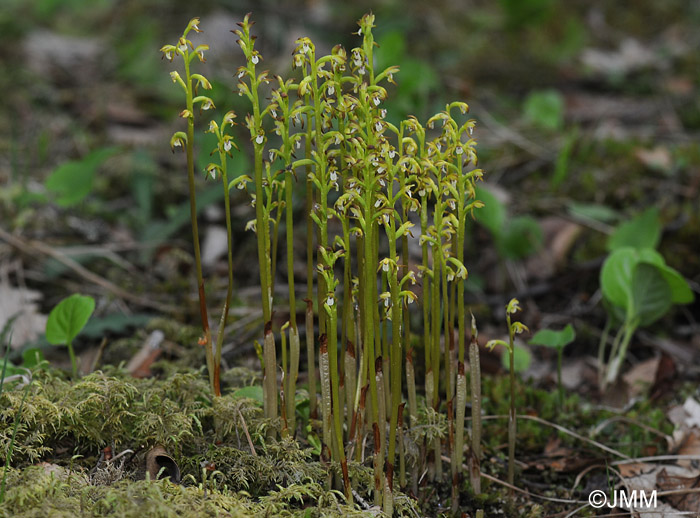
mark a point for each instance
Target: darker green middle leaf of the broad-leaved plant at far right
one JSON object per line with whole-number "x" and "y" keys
{"x": 651, "y": 294}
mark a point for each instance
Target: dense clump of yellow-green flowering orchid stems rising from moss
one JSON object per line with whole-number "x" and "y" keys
{"x": 369, "y": 185}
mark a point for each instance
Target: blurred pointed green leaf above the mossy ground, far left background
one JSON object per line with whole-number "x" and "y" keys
{"x": 72, "y": 181}
